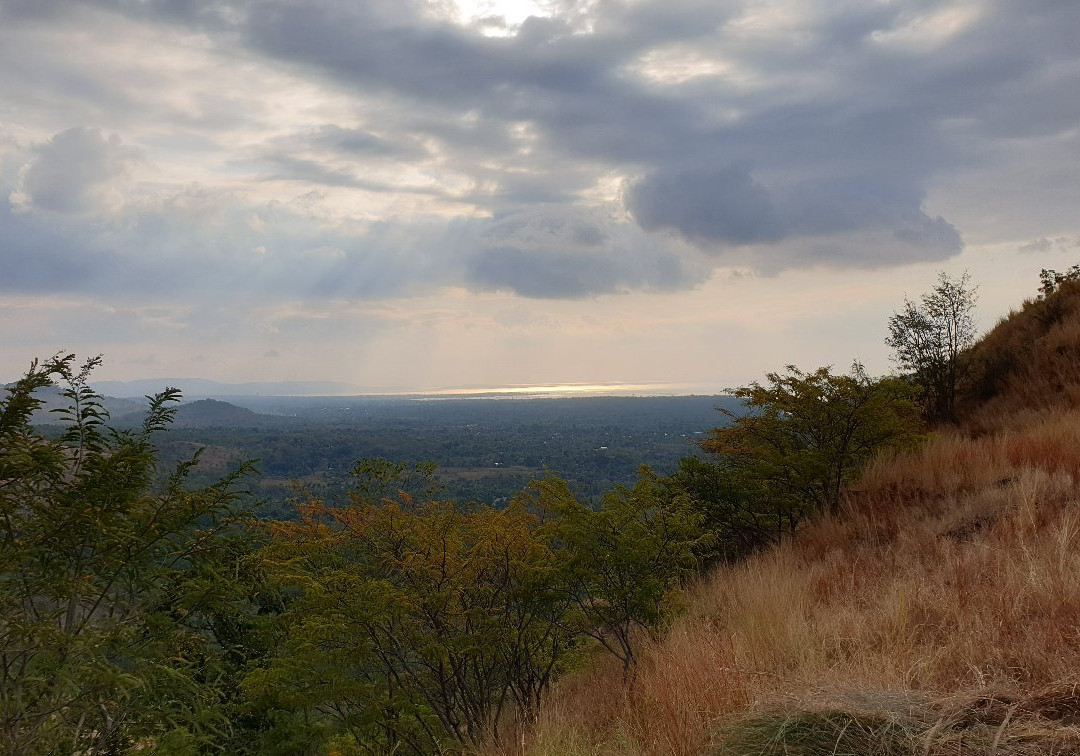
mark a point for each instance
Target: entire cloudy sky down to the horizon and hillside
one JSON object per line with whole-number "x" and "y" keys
{"x": 423, "y": 195}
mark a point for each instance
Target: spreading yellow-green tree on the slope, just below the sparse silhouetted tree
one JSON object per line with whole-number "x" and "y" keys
{"x": 806, "y": 435}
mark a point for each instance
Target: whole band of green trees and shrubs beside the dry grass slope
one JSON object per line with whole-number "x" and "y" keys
{"x": 139, "y": 614}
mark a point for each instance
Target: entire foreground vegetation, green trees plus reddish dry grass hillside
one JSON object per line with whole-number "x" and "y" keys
{"x": 839, "y": 577}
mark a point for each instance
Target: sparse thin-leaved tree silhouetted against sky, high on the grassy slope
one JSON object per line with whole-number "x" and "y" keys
{"x": 929, "y": 340}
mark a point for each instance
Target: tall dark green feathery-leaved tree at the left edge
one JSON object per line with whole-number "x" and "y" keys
{"x": 114, "y": 610}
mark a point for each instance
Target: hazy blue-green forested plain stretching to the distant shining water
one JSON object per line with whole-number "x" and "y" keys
{"x": 487, "y": 450}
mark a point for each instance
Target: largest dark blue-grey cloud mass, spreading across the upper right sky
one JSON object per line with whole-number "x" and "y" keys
{"x": 860, "y": 151}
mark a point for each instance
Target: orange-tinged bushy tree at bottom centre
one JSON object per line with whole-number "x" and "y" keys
{"x": 416, "y": 625}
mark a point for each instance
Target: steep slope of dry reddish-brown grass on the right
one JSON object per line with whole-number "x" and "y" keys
{"x": 939, "y": 614}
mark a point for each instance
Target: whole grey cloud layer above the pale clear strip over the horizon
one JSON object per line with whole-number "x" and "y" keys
{"x": 285, "y": 153}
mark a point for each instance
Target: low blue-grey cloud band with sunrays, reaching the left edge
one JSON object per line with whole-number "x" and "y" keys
{"x": 196, "y": 245}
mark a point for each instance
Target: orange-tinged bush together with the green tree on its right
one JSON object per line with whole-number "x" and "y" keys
{"x": 420, "y": 627}
